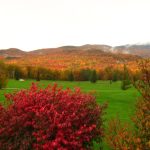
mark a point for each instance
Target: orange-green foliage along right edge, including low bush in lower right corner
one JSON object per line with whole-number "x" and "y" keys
{"x": 119, "y": 136}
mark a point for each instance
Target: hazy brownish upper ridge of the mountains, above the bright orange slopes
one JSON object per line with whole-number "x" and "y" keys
{"x": 138, "y": 50}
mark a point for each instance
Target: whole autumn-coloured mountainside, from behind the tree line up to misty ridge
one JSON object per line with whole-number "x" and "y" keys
{"x": 77, "y": 57}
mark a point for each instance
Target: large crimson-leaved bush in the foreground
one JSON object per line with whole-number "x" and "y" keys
{"x": 50, "y": 119}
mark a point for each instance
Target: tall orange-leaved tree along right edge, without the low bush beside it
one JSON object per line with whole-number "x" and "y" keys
{"x": 142, "y": 116}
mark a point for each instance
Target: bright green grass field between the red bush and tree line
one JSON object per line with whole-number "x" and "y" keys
{"x": 120, "y": 103}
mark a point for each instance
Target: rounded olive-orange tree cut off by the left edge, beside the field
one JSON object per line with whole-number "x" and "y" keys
{"x": 3, "y": 75}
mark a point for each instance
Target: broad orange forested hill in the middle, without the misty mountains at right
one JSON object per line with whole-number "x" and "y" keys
{"x": 73, "y": 58}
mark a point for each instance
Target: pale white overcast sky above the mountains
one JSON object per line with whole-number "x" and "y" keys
{"x": 34, "y": 24}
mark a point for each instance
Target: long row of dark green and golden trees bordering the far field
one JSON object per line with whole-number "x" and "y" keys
{"x": 39, "y": 73}
